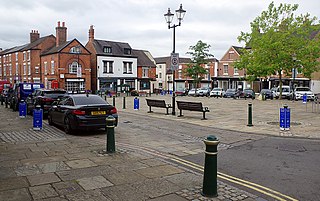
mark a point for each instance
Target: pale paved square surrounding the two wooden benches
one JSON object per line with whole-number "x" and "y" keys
{"x": 232, "y": 114}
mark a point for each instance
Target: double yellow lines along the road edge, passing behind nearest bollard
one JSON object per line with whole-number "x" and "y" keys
{"x": 256, "y": 187}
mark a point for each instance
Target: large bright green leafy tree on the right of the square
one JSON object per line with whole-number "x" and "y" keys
{"x": 280, "y": 41}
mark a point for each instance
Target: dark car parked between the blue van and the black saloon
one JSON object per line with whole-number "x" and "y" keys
{"x": 44, "y": 98}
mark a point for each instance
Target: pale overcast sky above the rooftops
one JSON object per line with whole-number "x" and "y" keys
{"x": 140, "y": 23}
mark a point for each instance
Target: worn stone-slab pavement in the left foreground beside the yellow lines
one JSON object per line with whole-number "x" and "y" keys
{"x": 49, "y": 165}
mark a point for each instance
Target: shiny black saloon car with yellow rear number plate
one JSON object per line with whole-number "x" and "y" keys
{"x": 81, "y": 111}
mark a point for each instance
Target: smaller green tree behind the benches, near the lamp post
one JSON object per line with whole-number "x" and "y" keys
{"x": 200, "y": 55}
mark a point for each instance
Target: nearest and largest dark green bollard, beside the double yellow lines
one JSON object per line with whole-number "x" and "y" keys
{"x": 209, "y": 188}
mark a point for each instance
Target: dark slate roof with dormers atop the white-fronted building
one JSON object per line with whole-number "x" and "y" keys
{"x": 117, "y": 48}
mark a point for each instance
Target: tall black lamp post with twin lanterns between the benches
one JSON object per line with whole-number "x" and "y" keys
{"x": 169, "y": 17}
